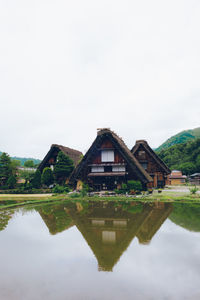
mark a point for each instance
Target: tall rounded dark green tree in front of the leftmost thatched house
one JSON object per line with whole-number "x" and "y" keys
{"x": 63, "y": 167}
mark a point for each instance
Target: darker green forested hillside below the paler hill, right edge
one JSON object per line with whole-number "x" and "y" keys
{"x": 184, "y": 157}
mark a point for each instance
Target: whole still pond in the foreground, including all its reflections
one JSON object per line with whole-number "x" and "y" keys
{"x": 100, "y": 250}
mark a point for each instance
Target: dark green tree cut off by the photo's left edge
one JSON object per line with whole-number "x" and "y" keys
{"x": 5, "y": 168}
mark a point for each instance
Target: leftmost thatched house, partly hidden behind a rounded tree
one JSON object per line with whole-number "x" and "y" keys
{"x": 51, "y": 157}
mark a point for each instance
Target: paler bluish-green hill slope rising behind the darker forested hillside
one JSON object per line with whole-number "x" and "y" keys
{"x": 181, "y": 137}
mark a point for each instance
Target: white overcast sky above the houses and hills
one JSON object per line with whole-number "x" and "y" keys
{"x": 70, "y": 67}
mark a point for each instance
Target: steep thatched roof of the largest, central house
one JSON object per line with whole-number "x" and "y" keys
{"x": 122, "y": 148}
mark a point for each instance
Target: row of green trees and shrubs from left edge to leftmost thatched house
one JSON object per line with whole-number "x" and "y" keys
{"x": 10, "y": 173}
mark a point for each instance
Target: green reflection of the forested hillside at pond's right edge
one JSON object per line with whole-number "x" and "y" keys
{"x": 186, "y": 215}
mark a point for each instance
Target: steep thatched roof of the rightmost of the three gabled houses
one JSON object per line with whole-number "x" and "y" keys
{"x": 150, "y": 151}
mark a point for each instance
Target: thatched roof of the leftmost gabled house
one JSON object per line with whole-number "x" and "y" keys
{"x": 75, "y": 155}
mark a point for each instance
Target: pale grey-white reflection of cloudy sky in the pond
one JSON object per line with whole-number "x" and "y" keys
{"x": 37, "y": 265}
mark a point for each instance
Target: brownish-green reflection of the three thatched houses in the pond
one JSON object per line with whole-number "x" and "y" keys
{"x": 109, "y": 227}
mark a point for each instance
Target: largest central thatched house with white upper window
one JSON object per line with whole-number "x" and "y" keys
{"x": 108, "y": 163}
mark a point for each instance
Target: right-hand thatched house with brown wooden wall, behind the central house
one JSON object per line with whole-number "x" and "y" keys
{"x": 152, "y": 164}
